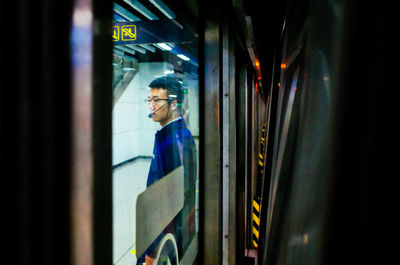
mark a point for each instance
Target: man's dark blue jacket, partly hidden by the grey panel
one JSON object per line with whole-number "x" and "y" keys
{"x": 174, "y": 146}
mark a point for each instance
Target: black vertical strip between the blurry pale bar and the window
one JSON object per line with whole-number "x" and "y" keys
{"x": 102, "y": 135}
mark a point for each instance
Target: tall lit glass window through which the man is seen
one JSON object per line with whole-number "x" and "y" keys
{"x": 155, "y": 133}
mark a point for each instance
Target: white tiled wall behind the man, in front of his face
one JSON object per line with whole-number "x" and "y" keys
{"x": 133, "y": 131}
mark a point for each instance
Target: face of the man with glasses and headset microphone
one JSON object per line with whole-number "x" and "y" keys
{"x": 161, "y": 107}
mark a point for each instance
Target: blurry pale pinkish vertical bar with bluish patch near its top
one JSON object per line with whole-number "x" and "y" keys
{"x": 81, "y": 155}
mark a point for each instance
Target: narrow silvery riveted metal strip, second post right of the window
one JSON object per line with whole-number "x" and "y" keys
{"x": 228, "y": 149}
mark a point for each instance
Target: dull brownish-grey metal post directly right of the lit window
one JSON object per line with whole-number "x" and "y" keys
{"x": 211, "y": 138}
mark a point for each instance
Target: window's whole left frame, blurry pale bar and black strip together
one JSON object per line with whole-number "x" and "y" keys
{"x": 91, "y": 212}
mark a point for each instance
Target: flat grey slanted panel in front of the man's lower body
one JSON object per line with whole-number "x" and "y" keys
{"x": 156, "y": 207}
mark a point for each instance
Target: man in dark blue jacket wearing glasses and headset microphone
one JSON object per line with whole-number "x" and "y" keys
{"x": 173, "y": 146}
